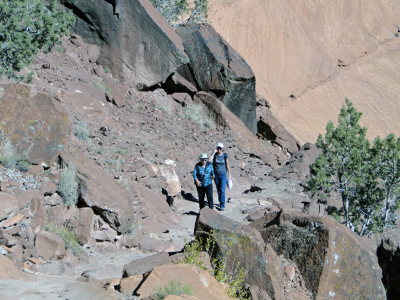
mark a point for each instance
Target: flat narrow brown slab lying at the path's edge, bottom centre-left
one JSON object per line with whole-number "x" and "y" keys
{"x": 146, "y": 264}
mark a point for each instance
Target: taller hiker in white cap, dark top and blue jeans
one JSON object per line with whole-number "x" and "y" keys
{"x": 222, "y": 172}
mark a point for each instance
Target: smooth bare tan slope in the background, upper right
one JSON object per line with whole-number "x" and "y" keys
{"x": 309, "y": 55}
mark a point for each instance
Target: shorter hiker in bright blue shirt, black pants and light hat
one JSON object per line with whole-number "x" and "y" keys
{"x": 203, "y": 174}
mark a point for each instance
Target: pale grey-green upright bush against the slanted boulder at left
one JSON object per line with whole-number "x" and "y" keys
{"x": 67, "y": 186}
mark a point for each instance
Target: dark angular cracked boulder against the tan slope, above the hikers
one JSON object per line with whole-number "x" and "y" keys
{"x": 218, "y": 68}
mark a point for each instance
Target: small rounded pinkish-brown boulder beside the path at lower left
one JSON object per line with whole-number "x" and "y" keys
{"x": 49, "y": 245}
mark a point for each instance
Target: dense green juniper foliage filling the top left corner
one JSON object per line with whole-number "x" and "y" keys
{"x": 26, "y": 26}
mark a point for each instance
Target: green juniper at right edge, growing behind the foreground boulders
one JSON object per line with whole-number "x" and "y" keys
{"x": 367, "y": 178}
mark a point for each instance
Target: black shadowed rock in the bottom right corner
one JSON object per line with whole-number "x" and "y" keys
{"x": 389, "y": 260}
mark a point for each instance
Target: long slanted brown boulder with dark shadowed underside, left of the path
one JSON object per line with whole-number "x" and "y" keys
{"x": 98, "y": 190}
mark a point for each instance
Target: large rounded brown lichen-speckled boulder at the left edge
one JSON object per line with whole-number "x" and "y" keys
{"x": 36, "y": 125}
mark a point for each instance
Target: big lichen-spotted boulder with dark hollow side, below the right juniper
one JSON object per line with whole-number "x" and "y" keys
{"x": 331, "y": 258}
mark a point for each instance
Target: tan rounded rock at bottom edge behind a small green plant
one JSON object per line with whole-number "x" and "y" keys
{"x": 205, "y": 286}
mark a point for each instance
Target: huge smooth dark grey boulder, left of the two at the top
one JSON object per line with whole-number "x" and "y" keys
{"x": 136, "y": 43}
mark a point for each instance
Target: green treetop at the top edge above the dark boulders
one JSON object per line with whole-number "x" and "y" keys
{"x": 174, "y": 11}
